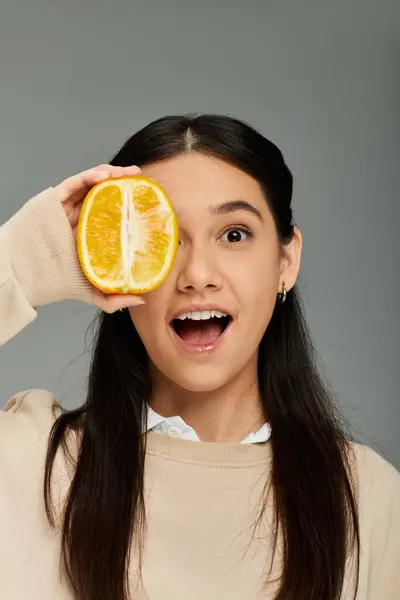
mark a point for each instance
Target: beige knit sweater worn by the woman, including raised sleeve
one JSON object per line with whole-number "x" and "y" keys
{"x": 201, "y": 497}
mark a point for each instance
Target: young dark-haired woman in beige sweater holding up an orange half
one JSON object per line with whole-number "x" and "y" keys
{"x": 208, "y": 461}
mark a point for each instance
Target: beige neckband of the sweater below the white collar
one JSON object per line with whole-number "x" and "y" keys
{"x": 211, "y": 454}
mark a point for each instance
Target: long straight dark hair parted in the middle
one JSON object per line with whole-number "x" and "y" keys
{"x": 316, "y": 516}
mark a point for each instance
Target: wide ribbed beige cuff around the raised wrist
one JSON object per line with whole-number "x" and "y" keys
{"x": 43, "y": 253}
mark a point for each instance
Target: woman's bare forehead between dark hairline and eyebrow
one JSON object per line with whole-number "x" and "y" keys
{"x": 197, "y": 180}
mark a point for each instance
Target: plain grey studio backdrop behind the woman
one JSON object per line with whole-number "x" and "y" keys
{"x": 319, "y": 78}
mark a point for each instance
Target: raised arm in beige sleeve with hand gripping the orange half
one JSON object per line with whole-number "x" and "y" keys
{"x": 38, "y": 258}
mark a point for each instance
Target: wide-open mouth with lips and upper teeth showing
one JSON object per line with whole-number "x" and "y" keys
{"x": 201, "y": 328}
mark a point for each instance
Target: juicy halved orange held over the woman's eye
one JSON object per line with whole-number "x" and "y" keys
{"x": 127, "y": 235}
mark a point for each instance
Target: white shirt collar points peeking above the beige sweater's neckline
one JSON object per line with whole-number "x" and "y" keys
{"x": 176, "y": 426}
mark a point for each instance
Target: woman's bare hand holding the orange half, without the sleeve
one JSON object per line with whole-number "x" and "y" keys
{"x": 71, "y": 193}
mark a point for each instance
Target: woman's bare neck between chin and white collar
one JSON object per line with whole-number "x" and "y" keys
{"x": 227, "y": 414}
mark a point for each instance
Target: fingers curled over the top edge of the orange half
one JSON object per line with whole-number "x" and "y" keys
{"x": 82, "y": 182}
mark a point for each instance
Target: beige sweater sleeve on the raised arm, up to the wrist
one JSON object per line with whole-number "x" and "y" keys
{"x": 38, "y": 263}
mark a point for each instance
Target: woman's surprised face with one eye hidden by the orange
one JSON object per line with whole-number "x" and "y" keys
{"x": 228, "y": 263}
